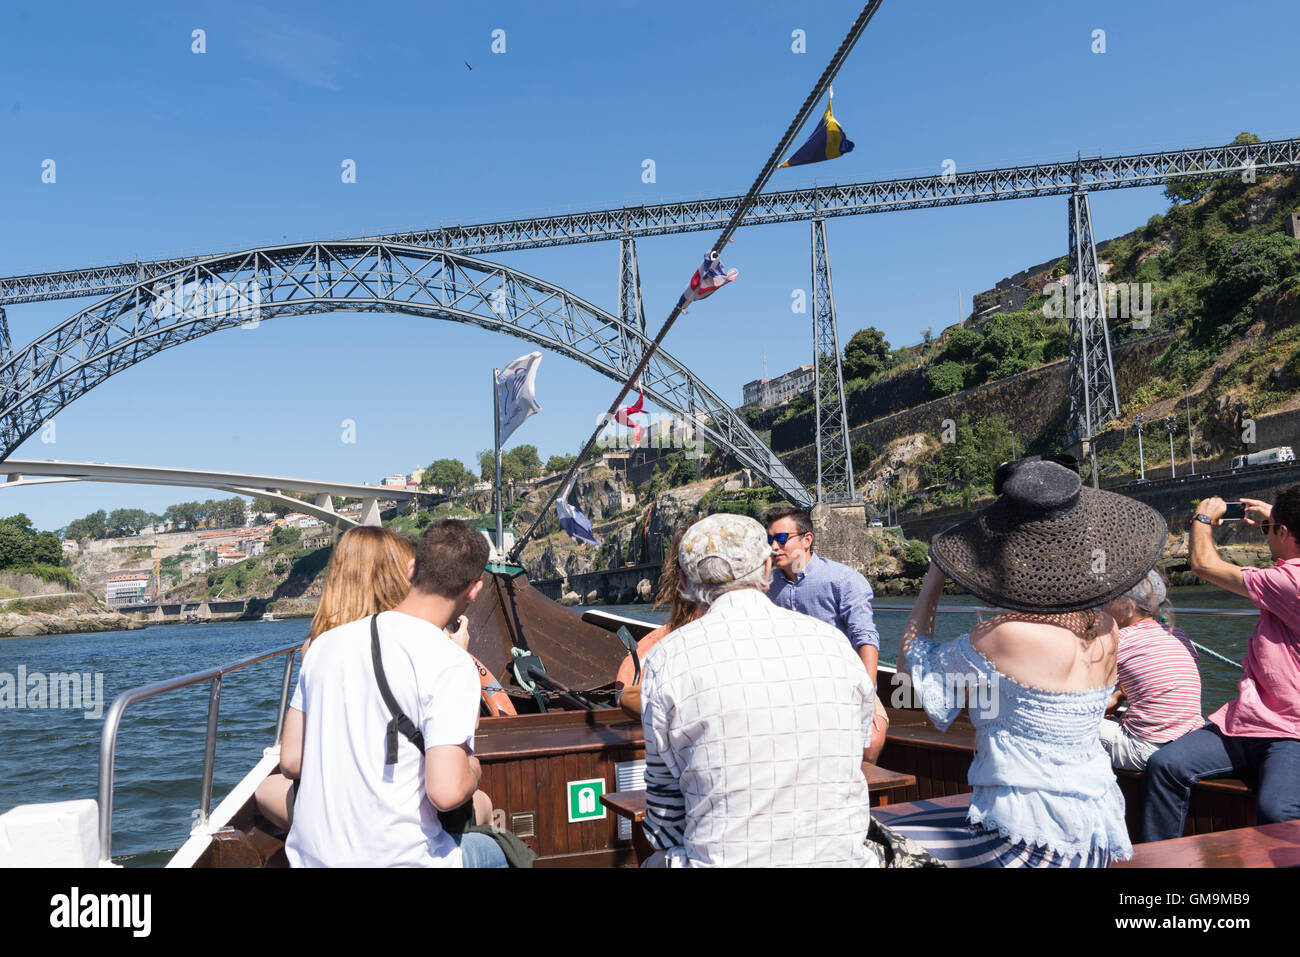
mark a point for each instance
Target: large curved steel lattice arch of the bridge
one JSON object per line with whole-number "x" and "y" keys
{"x": 248, "y": 288}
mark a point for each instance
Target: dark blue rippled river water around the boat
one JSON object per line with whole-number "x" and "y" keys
{"x": 51, "y": 754}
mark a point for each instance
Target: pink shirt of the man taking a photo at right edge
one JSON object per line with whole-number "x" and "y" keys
{"x": 1269, "y": 691}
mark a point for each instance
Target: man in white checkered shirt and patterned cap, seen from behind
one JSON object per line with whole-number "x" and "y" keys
{"x": 756, "y": 720}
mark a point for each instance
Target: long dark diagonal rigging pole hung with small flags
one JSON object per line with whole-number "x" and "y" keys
{"x": 824, "y": 84}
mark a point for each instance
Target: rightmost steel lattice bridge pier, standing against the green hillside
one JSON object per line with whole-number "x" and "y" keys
{"x": 1094, "y": 400}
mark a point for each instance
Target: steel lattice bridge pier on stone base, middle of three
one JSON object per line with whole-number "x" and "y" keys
{"x": 834, "y": 457}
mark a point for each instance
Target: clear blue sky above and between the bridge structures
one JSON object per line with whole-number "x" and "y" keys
{"x": 162, "y": 151}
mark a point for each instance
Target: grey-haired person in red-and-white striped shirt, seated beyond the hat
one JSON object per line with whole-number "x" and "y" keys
{"x": 1158, "y": 674}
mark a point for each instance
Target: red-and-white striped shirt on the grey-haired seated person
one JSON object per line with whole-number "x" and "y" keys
{"x": 1159, "y": 674}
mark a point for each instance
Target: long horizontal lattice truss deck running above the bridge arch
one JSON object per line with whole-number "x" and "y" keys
{"x": 783, "y": 206}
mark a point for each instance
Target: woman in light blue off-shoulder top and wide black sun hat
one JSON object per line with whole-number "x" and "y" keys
{"x": 1038, "y": 678}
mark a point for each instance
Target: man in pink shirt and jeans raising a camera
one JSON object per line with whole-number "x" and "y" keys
{"x": 1260, "y": 731}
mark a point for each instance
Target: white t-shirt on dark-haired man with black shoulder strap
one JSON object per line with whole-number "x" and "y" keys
{"x": 352, "y": 811}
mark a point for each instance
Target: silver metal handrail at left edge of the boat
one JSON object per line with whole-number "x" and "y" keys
{"x": 114, "y": 718}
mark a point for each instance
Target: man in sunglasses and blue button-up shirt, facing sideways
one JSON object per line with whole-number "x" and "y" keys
{"x": 826, "y": 591}
